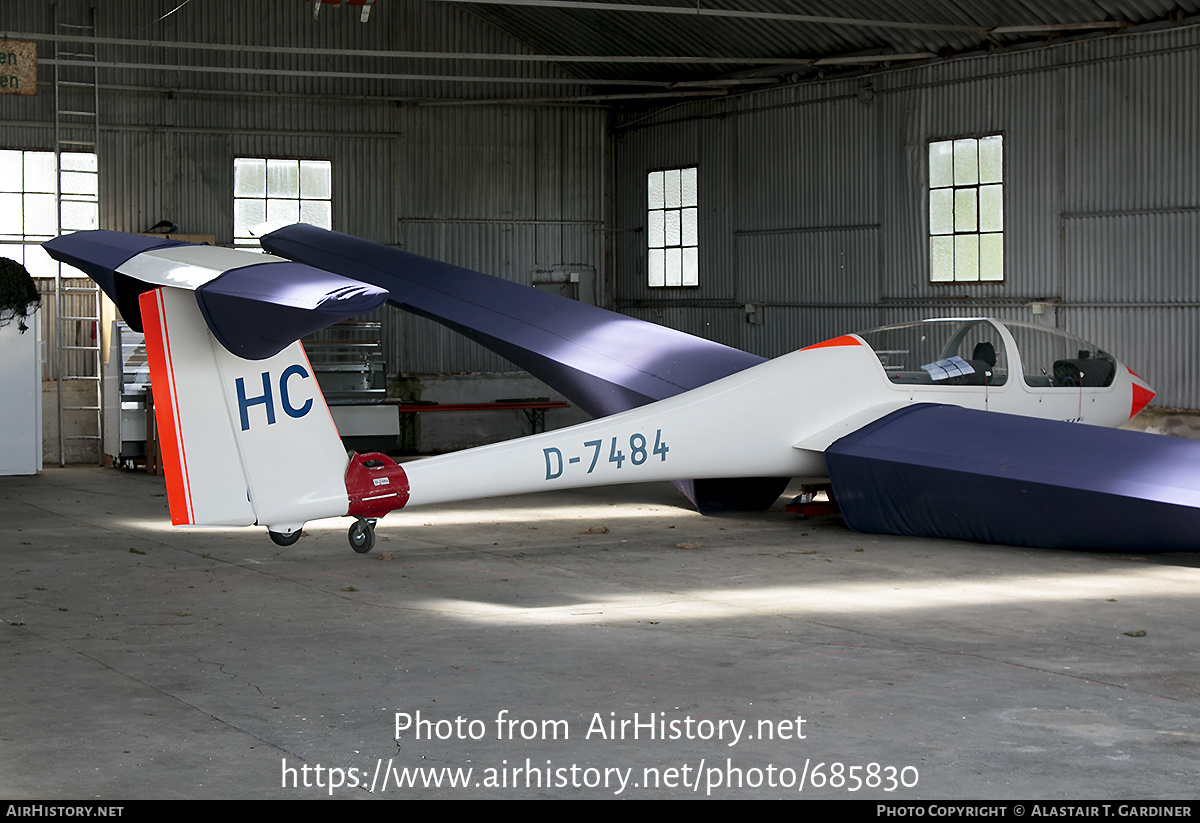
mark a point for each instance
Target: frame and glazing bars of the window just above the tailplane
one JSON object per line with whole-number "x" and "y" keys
{"x": 244, "y": 218}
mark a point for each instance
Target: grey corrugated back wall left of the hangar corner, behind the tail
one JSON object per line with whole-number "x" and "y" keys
{"x": 507, "y": 190}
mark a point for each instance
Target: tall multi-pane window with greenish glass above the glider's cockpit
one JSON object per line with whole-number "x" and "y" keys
{"x": 967, "y": 211}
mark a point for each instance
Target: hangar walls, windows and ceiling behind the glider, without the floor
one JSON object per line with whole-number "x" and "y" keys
{"x": 523, "y": 140}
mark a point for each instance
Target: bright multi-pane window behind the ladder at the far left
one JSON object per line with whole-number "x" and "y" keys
{"x": 28, "y": 185}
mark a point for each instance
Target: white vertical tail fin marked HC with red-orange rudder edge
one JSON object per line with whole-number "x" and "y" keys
{"x": 243, "y": 442}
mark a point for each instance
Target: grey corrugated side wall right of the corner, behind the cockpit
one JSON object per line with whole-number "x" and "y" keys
{"x": 814, "y": 201}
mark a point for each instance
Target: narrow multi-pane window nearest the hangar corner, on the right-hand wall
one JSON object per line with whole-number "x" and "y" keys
{"x": 673, "y": 219}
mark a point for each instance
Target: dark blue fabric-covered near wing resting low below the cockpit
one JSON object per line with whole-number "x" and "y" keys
{"x": 949, "y": 472}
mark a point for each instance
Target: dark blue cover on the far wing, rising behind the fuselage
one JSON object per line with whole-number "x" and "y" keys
{"x": 602, "y": 362}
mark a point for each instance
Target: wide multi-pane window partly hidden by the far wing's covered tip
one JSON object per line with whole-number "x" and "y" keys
{"x": 280, "y": 191}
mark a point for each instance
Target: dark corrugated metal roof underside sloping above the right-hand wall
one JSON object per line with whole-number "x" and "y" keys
{"x": 805, "y": 39}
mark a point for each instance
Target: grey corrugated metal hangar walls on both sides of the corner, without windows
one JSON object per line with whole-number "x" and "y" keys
{"x": 813, "y": 197}
